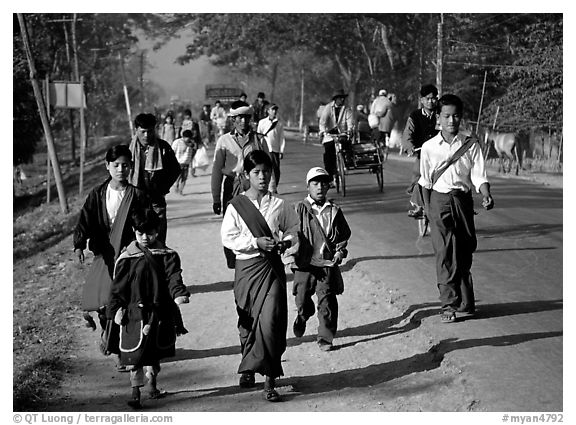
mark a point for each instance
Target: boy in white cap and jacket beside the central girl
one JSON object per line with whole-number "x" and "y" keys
{"x": 325, "y": 230}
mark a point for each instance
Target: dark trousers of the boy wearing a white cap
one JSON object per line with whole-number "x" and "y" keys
{"x": 323, "y": 282}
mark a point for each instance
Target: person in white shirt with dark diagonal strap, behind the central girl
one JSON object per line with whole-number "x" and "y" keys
{"x": 273, "y": 132}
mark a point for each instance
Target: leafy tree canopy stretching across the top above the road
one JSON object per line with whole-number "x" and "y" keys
{"x": 521, "y": 55}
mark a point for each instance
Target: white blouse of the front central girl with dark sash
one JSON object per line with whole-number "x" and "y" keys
{"x": 236, "y": 235}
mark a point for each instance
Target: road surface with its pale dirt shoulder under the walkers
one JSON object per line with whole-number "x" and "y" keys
{"x": 392, "y": 354}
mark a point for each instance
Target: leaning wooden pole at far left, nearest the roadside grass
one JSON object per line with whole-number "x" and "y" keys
{"x": 43, "y": 117}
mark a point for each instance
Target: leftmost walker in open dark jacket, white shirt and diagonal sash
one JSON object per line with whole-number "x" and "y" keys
{"x": 104, "y": 223}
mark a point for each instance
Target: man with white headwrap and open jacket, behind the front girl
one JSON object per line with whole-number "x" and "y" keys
{"x": 228, "y": 178}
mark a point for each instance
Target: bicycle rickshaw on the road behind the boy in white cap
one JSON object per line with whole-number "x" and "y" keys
{"x": 360, "y": 152}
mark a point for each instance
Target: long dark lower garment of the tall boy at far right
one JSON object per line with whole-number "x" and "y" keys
{"x": 454, "y": 241}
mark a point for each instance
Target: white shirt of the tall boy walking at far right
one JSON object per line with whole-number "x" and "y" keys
{"x": 469, "y": 170}
